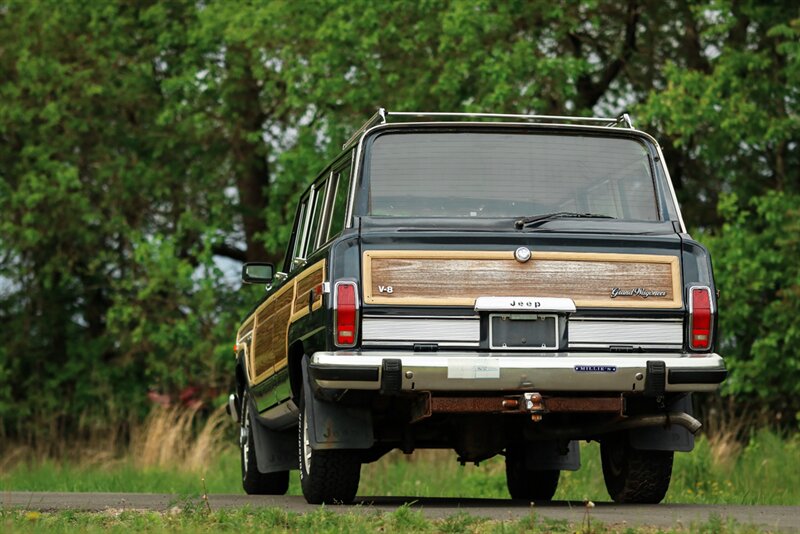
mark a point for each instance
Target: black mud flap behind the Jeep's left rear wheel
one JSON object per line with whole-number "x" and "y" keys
{"x": 333, "y": 426}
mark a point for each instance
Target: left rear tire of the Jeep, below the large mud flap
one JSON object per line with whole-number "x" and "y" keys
{"x": 326, "y": 477}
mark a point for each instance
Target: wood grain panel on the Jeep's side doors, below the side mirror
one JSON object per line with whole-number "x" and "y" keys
{"x": 272, "y": 323}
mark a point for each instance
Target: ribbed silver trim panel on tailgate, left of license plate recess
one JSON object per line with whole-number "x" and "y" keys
{"x": 420, "y": 330}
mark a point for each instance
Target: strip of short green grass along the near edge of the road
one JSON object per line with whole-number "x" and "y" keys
{"x": 322, "y": 521}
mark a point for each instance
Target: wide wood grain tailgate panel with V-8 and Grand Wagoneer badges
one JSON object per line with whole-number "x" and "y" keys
{"x": 457, "y": 278}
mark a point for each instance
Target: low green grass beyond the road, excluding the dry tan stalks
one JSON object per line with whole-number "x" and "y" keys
{"x": 766, "y": 471}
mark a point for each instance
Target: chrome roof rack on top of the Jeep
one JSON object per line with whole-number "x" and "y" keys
{"x": 382, "y": 116}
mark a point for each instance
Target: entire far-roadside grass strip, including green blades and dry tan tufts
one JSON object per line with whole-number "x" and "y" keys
{"x": 174, "y": 449}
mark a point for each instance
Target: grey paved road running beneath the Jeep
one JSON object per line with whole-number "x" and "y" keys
{"x": 664, "y": 515}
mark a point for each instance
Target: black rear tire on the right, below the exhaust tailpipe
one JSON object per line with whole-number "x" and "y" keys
{"x": 634, "y": 476}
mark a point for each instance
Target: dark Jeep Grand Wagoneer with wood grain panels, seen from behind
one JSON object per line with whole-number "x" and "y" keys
{"x": 491, "y": 284}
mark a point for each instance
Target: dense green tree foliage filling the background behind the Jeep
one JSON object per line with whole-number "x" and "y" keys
{"x": 144, "y": 146}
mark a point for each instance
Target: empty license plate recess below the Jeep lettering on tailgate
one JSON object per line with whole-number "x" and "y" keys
{"x": 523, "y": 331}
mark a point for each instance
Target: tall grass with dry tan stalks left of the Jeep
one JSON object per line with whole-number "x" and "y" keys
{"x": 170, "y": 452}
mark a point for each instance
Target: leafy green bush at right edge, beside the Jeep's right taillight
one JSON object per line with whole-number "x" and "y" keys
{"x": 758, "y": 275}
